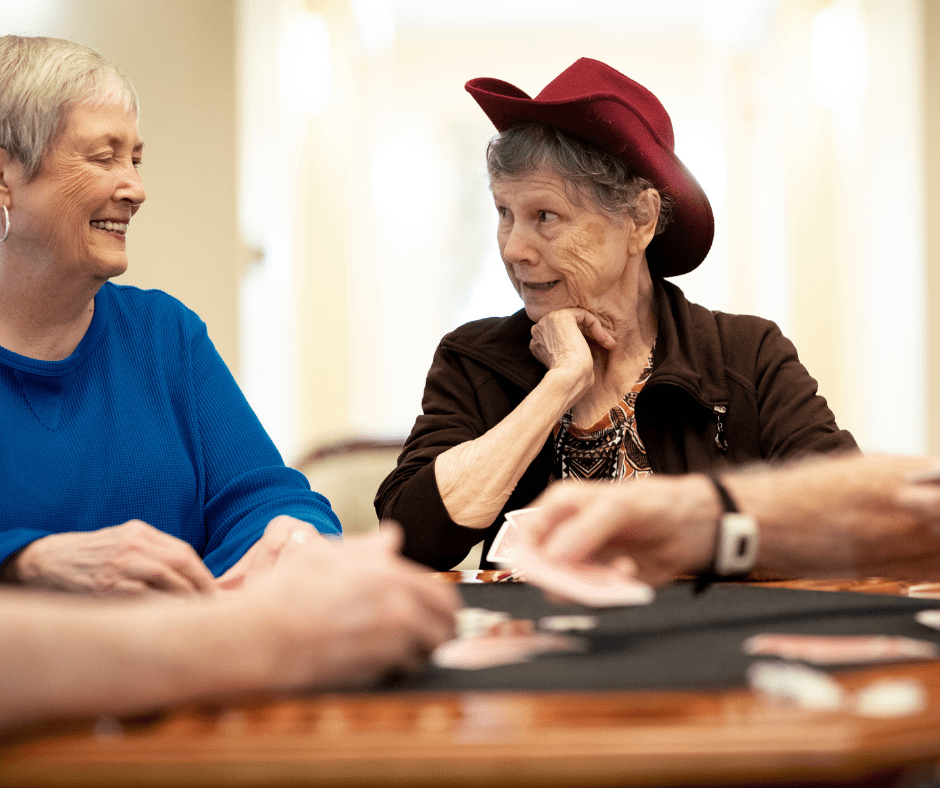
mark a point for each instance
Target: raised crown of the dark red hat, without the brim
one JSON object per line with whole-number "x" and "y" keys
{"x": 590, "y": 79}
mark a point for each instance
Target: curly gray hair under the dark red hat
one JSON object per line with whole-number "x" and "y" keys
{"x": 588, "y": 172}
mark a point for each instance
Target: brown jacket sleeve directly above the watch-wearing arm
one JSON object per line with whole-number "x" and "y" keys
{"x": 795, "y": 420}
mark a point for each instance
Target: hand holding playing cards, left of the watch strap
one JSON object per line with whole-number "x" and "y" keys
{"x": 654, "y": 529}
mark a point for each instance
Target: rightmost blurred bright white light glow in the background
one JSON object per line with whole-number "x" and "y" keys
{"x": 838, "y": 56}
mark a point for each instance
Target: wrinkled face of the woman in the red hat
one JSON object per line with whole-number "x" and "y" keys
{"x": 558, "y": 254}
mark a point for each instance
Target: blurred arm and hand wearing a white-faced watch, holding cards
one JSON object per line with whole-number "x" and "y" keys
{"x": 850, "y": 516}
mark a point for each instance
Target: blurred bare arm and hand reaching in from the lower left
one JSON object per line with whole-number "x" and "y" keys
{"x": 328, "y": 616}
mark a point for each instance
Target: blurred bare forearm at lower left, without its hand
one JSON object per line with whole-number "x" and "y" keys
{"x": 75, "y": 657}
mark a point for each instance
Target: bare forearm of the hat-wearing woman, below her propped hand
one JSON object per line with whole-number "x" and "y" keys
{"x": 476, "y": 478}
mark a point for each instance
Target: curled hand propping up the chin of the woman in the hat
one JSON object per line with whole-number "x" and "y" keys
{"x": 560, "y": 341}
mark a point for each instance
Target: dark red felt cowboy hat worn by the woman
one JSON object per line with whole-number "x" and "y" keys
{"x": 600, "y": 105}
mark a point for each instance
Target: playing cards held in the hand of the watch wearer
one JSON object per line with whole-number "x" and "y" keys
{"x": 594, "y": 585}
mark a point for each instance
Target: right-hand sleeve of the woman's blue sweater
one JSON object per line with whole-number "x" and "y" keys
{"x": 246, "y": 481}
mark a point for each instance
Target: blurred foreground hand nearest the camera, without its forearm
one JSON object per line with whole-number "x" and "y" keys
{"x": 347, "y": 614}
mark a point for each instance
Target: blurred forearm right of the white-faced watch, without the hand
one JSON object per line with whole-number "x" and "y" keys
{"x": 838, "y": 517}
